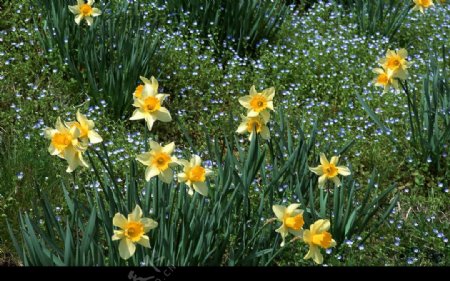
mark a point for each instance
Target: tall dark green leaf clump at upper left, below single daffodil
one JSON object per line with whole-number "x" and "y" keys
{"x": 110, "y": 55}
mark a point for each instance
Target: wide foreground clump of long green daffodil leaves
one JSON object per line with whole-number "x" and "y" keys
{"x": 227, "y": 227}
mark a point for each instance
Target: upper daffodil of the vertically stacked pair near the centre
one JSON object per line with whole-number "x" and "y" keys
{"x": 259, "y": 103}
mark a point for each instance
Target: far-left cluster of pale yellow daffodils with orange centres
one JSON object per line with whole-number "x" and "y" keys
{"x": 69, "y": 140}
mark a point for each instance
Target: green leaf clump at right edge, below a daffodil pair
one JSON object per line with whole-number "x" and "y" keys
{"x": 429, "y": 119}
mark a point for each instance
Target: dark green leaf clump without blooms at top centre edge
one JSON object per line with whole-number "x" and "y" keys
{"x": 243, "y": 23}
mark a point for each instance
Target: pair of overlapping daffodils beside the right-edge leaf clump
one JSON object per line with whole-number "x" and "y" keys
{"x": 394, "y": 67}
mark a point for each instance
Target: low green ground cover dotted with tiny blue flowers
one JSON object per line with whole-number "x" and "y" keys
{"x": 317, "y": 63}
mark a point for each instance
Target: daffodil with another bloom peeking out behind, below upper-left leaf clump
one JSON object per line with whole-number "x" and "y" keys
{"x": 148, "y": 103}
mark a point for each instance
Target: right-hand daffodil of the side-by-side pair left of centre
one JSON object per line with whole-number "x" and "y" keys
{"x": 194, "y": 175}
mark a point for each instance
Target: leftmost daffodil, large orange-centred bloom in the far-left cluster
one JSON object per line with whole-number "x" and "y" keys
{"x": 66, "y": 144}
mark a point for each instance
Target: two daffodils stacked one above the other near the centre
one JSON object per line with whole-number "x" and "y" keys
{"x": 258, "y": 115}
